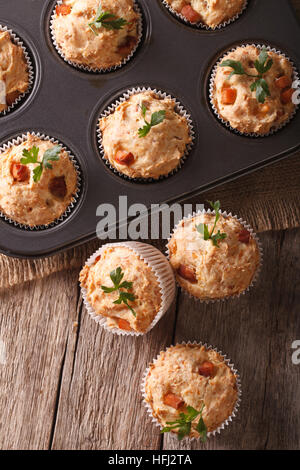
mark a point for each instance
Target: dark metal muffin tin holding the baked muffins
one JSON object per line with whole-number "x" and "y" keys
{"x": 66, "y": 103}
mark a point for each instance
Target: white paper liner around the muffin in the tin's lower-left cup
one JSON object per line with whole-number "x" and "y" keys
{"x": 19, "y": 140}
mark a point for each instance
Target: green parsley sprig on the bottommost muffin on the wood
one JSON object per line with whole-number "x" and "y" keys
{"x": 184, "y": 424}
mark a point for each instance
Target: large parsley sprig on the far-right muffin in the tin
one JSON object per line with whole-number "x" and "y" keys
{"x": 262, "y": 65}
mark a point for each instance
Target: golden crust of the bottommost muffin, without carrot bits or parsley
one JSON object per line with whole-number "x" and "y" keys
{"x": 176, "y": 371}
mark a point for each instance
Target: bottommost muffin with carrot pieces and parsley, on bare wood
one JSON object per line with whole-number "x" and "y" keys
{"x": 191, "y": 380}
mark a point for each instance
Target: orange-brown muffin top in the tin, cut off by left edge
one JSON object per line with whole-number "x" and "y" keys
{"x": 13, "y": 71}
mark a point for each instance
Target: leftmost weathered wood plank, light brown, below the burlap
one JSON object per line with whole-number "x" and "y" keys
{"x": 36, "y": 323}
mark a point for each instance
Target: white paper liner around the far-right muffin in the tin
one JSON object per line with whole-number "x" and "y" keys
{"x": 212, "y": 87}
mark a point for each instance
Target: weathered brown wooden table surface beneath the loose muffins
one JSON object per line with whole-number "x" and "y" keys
{"x": 67, "y": 384}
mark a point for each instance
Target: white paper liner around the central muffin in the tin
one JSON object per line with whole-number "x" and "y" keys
{"x": 178, "y": 108}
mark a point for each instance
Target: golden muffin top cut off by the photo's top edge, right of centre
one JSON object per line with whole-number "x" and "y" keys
{"x": 209, "y": 12}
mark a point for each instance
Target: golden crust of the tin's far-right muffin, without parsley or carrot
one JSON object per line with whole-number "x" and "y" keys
{"x": 246, "y": 114}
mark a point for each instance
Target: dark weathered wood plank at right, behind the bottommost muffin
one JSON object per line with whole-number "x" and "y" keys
{"x": 256, "y": 331}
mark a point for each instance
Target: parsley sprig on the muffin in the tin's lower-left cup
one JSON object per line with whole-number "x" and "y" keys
{"x": 31, "y": 156}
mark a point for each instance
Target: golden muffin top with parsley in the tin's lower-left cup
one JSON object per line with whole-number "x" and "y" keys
{"x": 35, "y": 194}
